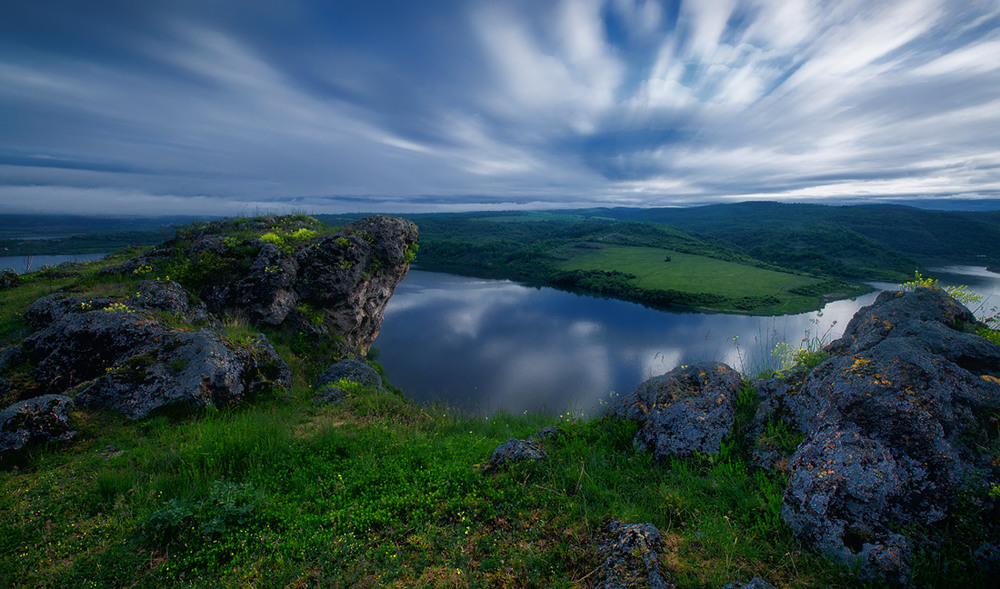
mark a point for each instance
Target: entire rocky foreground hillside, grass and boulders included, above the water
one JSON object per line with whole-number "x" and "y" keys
{"x": 203, "y": 414}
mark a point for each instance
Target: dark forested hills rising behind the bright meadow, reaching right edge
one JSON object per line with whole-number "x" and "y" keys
{"x": 797, "y": 235}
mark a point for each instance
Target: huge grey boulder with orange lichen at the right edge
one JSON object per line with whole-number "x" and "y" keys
{"x": 892, "y": 421}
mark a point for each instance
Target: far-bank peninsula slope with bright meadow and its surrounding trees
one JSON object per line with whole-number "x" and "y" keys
{"x": 535, "y": 247}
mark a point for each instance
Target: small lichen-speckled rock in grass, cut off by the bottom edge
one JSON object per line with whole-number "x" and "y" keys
{"x": 631, "y": 554}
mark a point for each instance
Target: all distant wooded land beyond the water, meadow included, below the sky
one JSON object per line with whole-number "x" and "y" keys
{"x": 776, "y": 257}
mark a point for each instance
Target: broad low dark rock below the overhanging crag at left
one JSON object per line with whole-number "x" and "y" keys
{"x": 122, "y": 357}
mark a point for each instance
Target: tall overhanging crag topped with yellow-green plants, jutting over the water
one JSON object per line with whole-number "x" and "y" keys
{"x": 280, "y": 272}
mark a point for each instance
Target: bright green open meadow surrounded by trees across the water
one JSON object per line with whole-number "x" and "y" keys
{"x": 696, "y": 274}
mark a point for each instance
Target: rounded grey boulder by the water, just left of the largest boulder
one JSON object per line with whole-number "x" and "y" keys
{"x": 688, "y": 410}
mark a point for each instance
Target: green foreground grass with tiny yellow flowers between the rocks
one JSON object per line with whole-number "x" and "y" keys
{"x": 376, "y": 492}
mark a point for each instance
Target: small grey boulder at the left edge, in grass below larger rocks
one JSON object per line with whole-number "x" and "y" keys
{"x": 37, "y": 420}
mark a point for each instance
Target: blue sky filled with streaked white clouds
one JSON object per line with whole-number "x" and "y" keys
{"x": 247, "y": 106}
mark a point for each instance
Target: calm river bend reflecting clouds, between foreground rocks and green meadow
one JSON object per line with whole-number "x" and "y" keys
{"x": 489, "y": 345}
